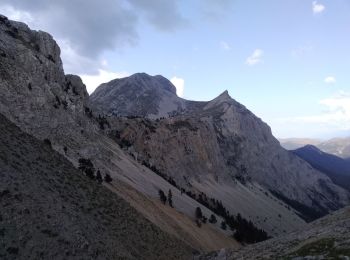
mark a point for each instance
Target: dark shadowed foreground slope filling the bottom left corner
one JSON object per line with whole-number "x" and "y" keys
{"x": 49, "y": 210}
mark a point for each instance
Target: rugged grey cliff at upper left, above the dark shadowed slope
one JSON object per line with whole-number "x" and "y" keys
{"x": 35, "y": 92}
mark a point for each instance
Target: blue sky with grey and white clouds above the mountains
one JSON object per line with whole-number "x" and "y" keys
{"x": 286, "y": 61}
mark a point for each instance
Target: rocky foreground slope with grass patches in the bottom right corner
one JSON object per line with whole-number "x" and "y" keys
{"x": 326, "y": 238}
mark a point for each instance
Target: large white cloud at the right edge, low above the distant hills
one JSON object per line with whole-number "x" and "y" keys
{"x": 336, "y": 115}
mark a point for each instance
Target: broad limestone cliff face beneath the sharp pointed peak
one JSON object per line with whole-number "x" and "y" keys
{"x": 223, "y": 142}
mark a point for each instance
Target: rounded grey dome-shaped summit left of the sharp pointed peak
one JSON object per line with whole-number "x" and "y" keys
{"x": 137, "y": 95}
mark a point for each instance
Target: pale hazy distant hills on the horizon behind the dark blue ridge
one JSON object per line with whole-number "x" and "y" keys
{"x": 337, "y": 146}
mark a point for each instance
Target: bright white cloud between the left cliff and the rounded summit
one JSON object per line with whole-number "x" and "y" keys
{"x": 103, "y": 76}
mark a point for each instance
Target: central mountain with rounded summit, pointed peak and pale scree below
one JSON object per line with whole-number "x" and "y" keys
{"x": 221, "y": 149}
